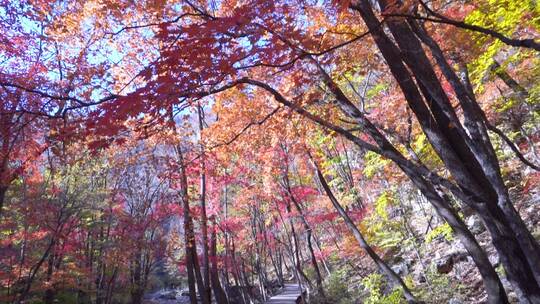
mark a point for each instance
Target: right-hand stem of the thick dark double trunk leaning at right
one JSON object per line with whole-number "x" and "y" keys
{"x": 480, "y": 173}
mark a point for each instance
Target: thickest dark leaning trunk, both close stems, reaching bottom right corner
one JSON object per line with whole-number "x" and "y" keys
{"x": 443, "y": 131}
